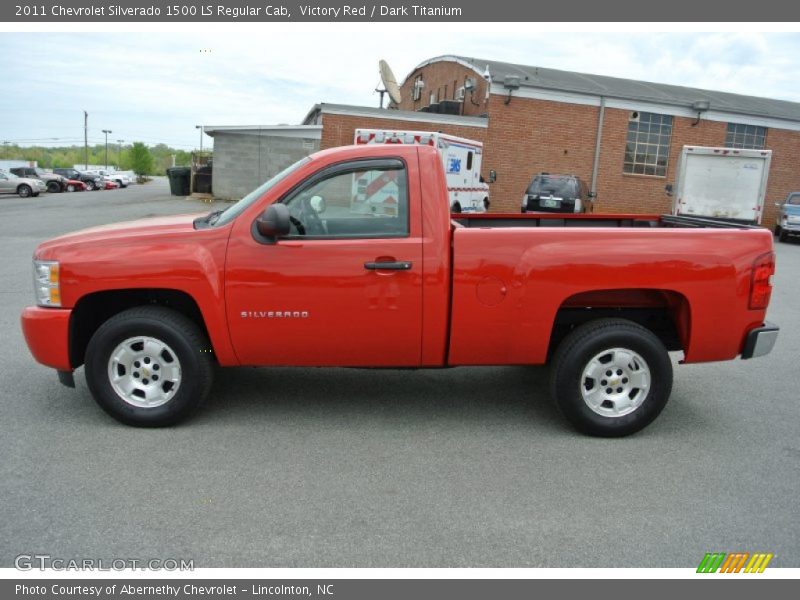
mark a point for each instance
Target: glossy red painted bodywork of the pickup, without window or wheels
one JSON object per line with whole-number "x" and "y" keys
{"x": 474, "y": 296}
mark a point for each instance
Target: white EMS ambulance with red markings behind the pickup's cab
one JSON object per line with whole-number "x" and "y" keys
{"x": 461, "y": 159}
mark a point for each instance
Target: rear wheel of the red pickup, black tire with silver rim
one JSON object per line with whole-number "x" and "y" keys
{"x": 614, "y": 337}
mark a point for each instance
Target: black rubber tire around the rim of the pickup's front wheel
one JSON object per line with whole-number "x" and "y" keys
{"x": 181, "y": 336}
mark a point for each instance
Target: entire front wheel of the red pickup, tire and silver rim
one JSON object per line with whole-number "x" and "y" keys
{"x": 149, "y": 367}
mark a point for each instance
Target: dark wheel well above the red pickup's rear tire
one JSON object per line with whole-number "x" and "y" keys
{"x": 663, "y": 312}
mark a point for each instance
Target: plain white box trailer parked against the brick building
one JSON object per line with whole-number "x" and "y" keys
{"x": 721, "y": 183}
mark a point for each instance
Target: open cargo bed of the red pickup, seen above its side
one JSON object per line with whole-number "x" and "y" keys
{"x": 593, "y": 220}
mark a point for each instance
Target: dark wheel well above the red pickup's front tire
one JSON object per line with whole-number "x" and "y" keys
{"x": 93, "y": 310}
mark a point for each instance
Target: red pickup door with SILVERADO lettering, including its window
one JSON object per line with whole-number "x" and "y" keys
{"x": 344, "y": 288}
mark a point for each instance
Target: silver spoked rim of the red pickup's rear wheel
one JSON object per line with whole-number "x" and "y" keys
{"x": 615, "y": 382}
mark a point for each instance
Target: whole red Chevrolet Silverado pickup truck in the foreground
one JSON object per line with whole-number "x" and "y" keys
{"x": 310, "y": 270}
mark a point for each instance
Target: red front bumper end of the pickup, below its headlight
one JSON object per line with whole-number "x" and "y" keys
{"x": 46, "y": 331}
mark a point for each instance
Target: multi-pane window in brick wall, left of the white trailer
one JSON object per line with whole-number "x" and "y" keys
{"x": 647, "y": 146}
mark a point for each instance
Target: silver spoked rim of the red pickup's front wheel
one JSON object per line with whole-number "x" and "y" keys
{"x": 144, "y": 372}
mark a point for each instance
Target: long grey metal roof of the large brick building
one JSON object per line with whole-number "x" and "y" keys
{"x": 627, "y": 89}
